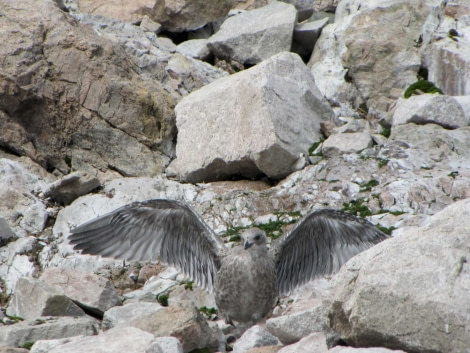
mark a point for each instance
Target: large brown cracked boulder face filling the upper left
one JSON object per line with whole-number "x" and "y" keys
{"x": 76, "y": 101}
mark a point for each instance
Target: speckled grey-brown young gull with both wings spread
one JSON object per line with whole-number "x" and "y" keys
{"x": 247, "y": 280}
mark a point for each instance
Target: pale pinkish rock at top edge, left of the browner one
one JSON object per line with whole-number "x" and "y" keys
{"x": 126, "y": 11}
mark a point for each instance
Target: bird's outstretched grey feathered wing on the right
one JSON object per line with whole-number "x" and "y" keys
{"x": 319, "y": 244}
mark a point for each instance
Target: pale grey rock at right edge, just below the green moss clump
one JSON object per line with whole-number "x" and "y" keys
{"x": 431, "y": 108}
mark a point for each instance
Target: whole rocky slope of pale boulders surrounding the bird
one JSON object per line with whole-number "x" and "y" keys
{"x": 252, "y": 117}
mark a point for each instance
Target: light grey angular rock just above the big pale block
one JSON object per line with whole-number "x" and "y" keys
{"x": 255, "y": 35}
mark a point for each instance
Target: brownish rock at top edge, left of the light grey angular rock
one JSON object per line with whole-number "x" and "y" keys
{"x": 186, "y": 15}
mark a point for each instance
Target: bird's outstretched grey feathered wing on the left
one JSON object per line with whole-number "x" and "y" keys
{"x": 157, "y": 229}
